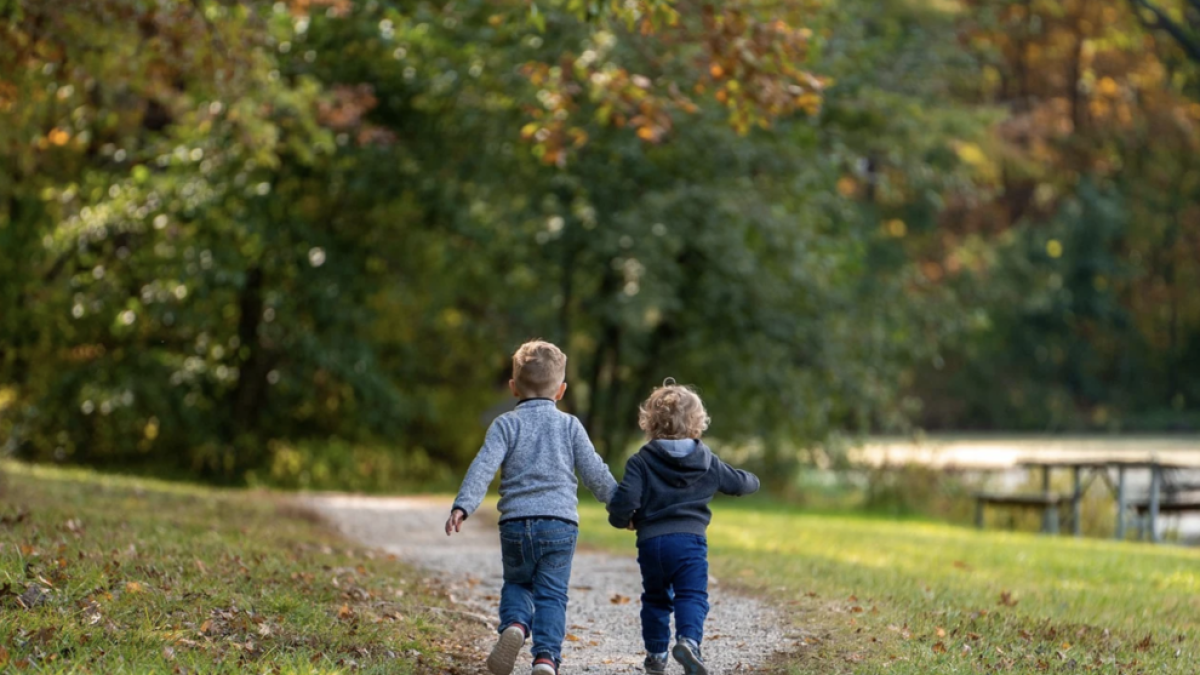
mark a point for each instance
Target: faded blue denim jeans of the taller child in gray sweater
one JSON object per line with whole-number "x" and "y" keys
{"x": 538, "y": 555}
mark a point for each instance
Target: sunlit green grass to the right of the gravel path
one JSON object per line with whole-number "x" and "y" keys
{"x": 915, "y": 599}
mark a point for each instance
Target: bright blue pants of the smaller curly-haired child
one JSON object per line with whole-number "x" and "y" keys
{"x": 675, "y": 578}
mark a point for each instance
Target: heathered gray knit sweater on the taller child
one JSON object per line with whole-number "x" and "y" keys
{"x": 538, "y": 450}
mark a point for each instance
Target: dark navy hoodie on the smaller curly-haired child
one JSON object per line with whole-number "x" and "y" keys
{"x": 668, "y": 487}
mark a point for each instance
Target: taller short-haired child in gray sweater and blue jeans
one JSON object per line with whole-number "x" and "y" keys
{"x": 538, "y": 451}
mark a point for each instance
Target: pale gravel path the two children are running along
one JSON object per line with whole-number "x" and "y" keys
{"x": 603, "y": 616}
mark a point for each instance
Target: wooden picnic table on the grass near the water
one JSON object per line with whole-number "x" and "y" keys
{"x": 1090, "y": 469}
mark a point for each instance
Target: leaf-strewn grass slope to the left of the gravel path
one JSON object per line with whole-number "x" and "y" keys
{"x": 133, "y": 576}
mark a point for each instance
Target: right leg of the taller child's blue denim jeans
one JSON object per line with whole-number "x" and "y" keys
{"x": 555, "y": 551}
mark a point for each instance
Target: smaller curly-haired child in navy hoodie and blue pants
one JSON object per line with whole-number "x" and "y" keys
{"x": 665, "y": 497}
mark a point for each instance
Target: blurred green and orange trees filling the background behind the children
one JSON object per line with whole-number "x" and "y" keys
{"x": 297, "y": 242}
